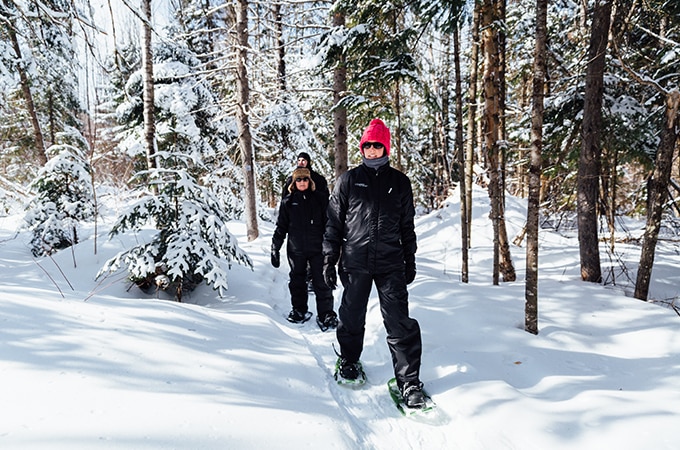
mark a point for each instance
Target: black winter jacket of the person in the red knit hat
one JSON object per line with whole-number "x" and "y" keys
{"x": 370, "y": 218}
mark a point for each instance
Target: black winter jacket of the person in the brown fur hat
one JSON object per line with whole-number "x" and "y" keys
{"x": 302, "y": 216}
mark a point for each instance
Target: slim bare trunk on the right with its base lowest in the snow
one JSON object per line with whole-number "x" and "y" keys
{"x": 531, "y": 287}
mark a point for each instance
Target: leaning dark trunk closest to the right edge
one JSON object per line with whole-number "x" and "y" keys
{"x": 657, "y": 193}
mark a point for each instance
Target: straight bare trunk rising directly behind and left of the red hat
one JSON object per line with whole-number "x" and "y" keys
{"x": 339, "y": 111}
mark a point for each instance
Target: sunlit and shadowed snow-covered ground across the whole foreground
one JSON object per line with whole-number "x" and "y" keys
{"x": 88, "y": 364}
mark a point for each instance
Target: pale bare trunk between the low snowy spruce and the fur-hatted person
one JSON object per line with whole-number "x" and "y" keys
{"x": 243, "y": 120}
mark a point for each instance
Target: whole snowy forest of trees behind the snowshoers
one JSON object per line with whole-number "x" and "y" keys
{"x": 197, "y": 109}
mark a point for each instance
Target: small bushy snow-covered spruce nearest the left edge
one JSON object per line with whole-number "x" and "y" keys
{"x": 64, "y": 196}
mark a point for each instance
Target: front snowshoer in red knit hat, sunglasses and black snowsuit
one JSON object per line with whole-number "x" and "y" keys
{"x": 370, "y": 233}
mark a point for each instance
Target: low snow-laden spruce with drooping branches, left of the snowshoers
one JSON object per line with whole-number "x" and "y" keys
{"x": 192, "y": 244}
